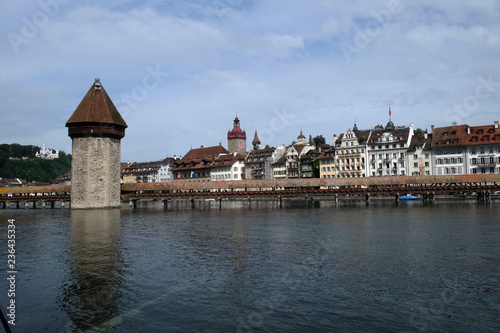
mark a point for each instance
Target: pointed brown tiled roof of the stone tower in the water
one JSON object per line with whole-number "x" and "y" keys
{"x": 96, "y": 115}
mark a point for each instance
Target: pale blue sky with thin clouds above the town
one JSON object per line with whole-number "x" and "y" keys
{"x": 180, "y": 71}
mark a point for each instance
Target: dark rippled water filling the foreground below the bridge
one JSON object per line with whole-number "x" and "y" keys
{"x": 334, "y": 268}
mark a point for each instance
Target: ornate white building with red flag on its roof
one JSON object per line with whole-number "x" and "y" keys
{"x": 387, "y": 149}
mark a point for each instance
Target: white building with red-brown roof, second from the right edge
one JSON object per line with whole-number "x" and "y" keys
{"x": 448, "y": 149}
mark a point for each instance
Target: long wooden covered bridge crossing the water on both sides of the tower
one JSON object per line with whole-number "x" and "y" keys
{"x": 482, "y": 186}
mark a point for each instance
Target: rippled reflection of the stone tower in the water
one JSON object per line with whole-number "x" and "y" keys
{"x": 92, "y": 293}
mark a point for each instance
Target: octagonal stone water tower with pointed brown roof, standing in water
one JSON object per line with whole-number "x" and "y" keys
{"x": 96, "y": 128}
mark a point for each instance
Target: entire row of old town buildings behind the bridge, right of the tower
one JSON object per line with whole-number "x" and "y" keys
{"x": 381, "y": 151}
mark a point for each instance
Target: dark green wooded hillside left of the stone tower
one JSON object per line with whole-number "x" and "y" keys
{"x": 31, "y": 168}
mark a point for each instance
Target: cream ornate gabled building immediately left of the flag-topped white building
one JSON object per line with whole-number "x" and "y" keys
{"x": 351, "y": 153}
